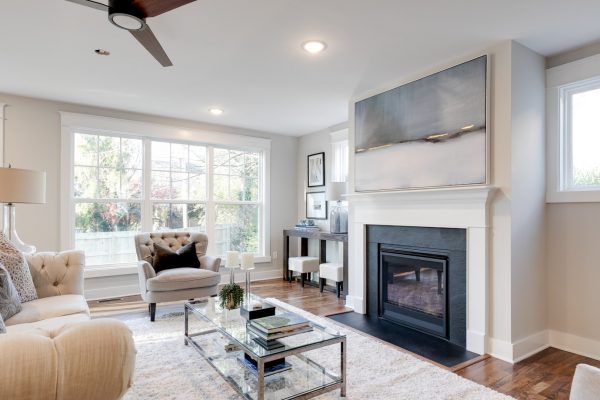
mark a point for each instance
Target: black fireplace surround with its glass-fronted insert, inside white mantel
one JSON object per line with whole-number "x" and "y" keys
{"x": 416, "y": 277}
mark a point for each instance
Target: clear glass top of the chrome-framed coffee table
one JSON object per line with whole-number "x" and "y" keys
{"x": 231, "y": 323}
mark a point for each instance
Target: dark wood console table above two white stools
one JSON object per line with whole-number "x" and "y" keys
{"x": 323, "y": 237}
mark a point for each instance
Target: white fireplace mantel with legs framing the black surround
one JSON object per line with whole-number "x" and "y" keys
{"x": 462, "y": 207}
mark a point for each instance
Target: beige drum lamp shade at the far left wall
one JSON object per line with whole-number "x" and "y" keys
{"x": 22, "y": 186}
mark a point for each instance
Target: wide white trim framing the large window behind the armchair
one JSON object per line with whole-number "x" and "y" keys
{"x": 71, "y": 122}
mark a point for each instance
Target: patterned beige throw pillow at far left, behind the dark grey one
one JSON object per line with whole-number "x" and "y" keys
{"x": 14, "y": 262}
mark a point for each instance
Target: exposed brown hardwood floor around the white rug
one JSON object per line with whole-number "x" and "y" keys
{"x": 544, "y": 376}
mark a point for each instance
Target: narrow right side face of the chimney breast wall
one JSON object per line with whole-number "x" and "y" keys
{"x": 528, "y": 222}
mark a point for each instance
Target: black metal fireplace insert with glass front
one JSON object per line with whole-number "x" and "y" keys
{"x": 412, "y": 289}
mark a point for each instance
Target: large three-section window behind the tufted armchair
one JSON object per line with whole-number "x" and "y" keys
{"x": 125, "y": 184}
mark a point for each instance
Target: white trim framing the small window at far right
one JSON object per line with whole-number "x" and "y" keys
{"x": 557, "y": 78}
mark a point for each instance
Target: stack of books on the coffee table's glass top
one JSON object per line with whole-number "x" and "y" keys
{"x": 269, "y": 329}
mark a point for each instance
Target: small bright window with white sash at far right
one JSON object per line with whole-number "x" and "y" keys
{"x": 580, "y": 136}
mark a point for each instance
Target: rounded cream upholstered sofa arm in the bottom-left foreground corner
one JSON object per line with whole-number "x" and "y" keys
{"x": 92, "y": 360}
